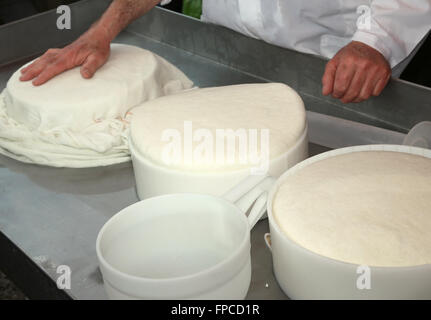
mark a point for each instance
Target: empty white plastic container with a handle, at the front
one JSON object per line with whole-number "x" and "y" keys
{"x": 182, "y": 246}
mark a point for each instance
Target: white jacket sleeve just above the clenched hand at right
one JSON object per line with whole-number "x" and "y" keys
{"x": 394, "y": 27}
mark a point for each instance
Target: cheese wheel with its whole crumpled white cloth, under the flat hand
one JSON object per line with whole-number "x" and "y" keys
{"x": 74, "y": 122}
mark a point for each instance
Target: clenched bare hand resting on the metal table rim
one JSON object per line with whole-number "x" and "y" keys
{"x": 356, "y": 73}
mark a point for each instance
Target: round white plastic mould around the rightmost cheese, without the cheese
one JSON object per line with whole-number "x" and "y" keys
{"x": 303, "y": 274}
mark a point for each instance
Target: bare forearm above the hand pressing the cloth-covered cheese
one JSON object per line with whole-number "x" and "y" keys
{"x": 120, "y": 14}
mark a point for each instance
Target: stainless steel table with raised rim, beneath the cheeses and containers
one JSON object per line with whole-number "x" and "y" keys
{"x": 51, "y": 216}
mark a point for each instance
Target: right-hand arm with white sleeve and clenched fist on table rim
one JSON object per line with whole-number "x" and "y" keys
{"x": 362, "y": 68}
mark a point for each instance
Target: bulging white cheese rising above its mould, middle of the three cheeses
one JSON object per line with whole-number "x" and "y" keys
{"x": 219, "y": 129}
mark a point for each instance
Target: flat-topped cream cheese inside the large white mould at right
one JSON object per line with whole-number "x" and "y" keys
{"x": 367, "y": 207}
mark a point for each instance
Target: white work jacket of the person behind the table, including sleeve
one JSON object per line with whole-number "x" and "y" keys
{"x": 322, "y": 27}
